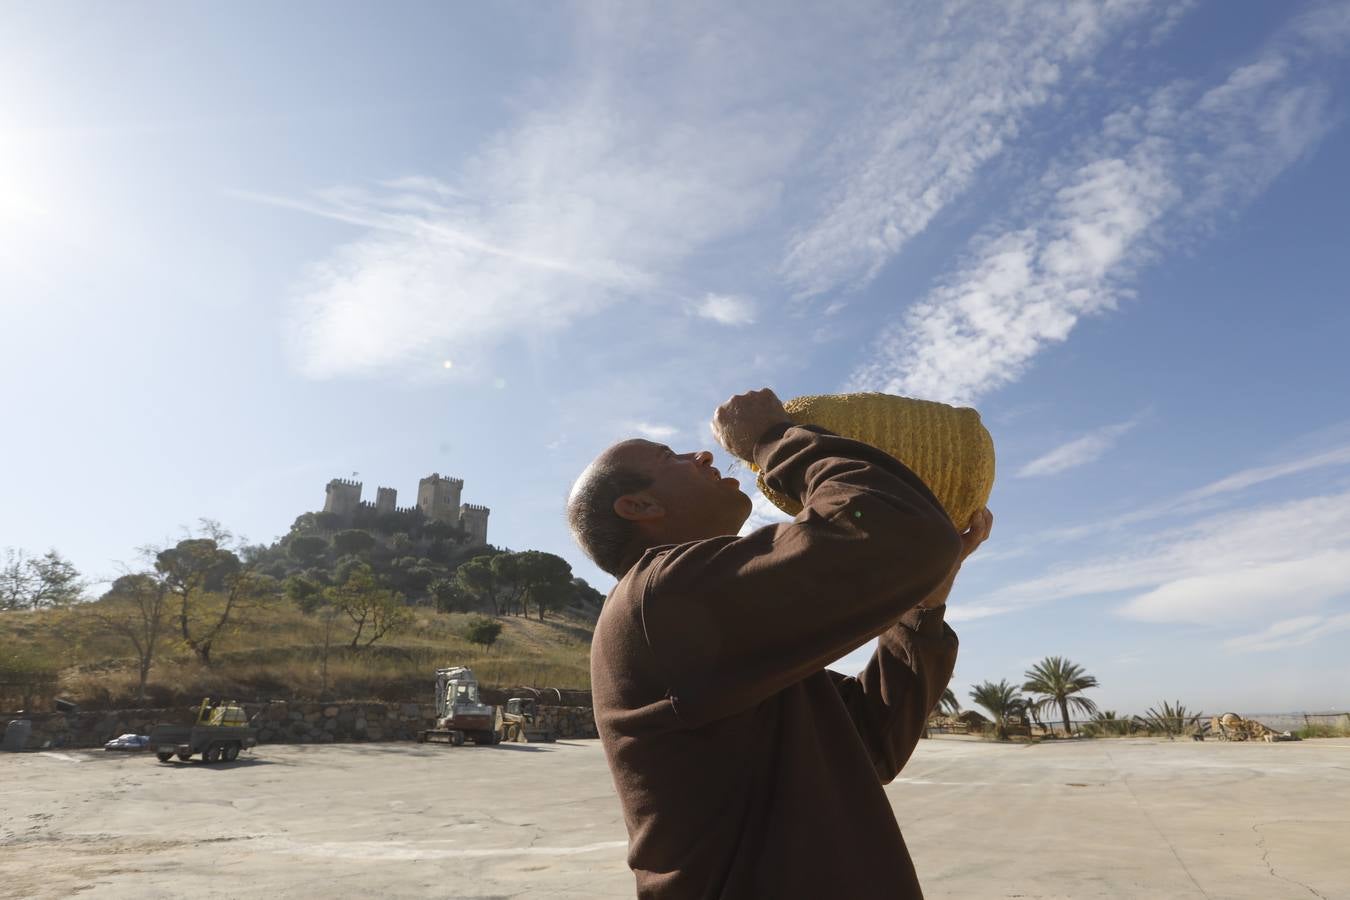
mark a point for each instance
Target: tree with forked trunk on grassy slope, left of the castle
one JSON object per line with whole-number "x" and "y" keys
{"x": 213, "y": 589}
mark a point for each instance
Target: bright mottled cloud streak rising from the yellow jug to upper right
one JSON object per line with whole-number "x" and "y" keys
{"x": 1171, "y": 165}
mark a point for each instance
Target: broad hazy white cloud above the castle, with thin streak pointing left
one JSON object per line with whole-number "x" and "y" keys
{"x": 595, "y": 196}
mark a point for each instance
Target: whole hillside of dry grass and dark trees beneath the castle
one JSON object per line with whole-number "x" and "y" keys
{"x": 322, "y": 613}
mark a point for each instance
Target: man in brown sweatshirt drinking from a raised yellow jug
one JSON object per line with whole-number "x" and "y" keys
{"x": 746, "y": 768}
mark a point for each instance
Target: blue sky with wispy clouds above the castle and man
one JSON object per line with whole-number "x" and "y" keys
{"x": 250, "y": 248}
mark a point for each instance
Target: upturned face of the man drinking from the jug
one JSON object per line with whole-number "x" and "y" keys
{"x": 695, "y": 499}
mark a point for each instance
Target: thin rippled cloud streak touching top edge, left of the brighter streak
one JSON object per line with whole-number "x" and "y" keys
{"x": 959, "y": 84}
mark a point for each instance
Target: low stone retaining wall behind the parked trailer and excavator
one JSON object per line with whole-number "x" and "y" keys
{"x": 281, "y": 724}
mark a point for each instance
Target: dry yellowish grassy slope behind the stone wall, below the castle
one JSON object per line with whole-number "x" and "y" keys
{"x": 279, "y": 652}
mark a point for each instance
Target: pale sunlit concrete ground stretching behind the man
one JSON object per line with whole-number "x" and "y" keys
{"x": 1124, "y": 818}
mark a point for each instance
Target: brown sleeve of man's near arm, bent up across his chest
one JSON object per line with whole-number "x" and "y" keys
{"x": 731, "y": 621}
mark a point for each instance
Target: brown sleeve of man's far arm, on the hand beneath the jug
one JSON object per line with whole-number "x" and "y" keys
{"x": 890, "y": 701}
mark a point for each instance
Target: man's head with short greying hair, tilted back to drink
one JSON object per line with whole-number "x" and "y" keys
{"x": 641, "y": 495}
